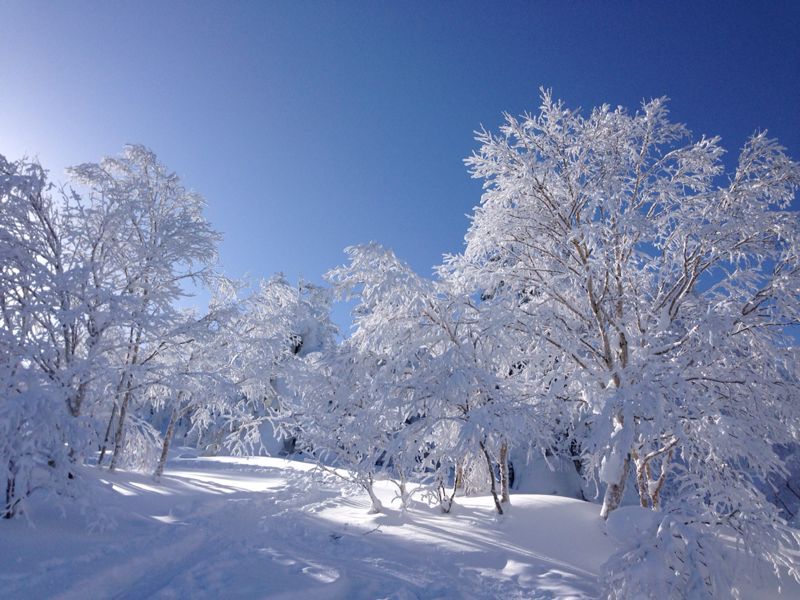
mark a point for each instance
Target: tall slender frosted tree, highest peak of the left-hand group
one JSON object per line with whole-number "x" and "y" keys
{"x": 164, "y": 243}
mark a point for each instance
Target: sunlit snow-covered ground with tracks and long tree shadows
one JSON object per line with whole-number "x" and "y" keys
{"x": 270, "y": 528}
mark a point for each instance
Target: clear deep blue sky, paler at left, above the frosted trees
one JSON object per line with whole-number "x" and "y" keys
{"x": 310, "y": 126}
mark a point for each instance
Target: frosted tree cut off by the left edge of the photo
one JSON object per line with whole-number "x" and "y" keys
{"x": 53, "y": 312}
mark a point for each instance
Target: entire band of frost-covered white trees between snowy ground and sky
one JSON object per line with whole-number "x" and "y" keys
{"x": 624, "y": 307}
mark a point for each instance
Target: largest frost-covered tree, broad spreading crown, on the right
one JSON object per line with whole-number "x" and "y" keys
{"x": 657, "y": 292}
